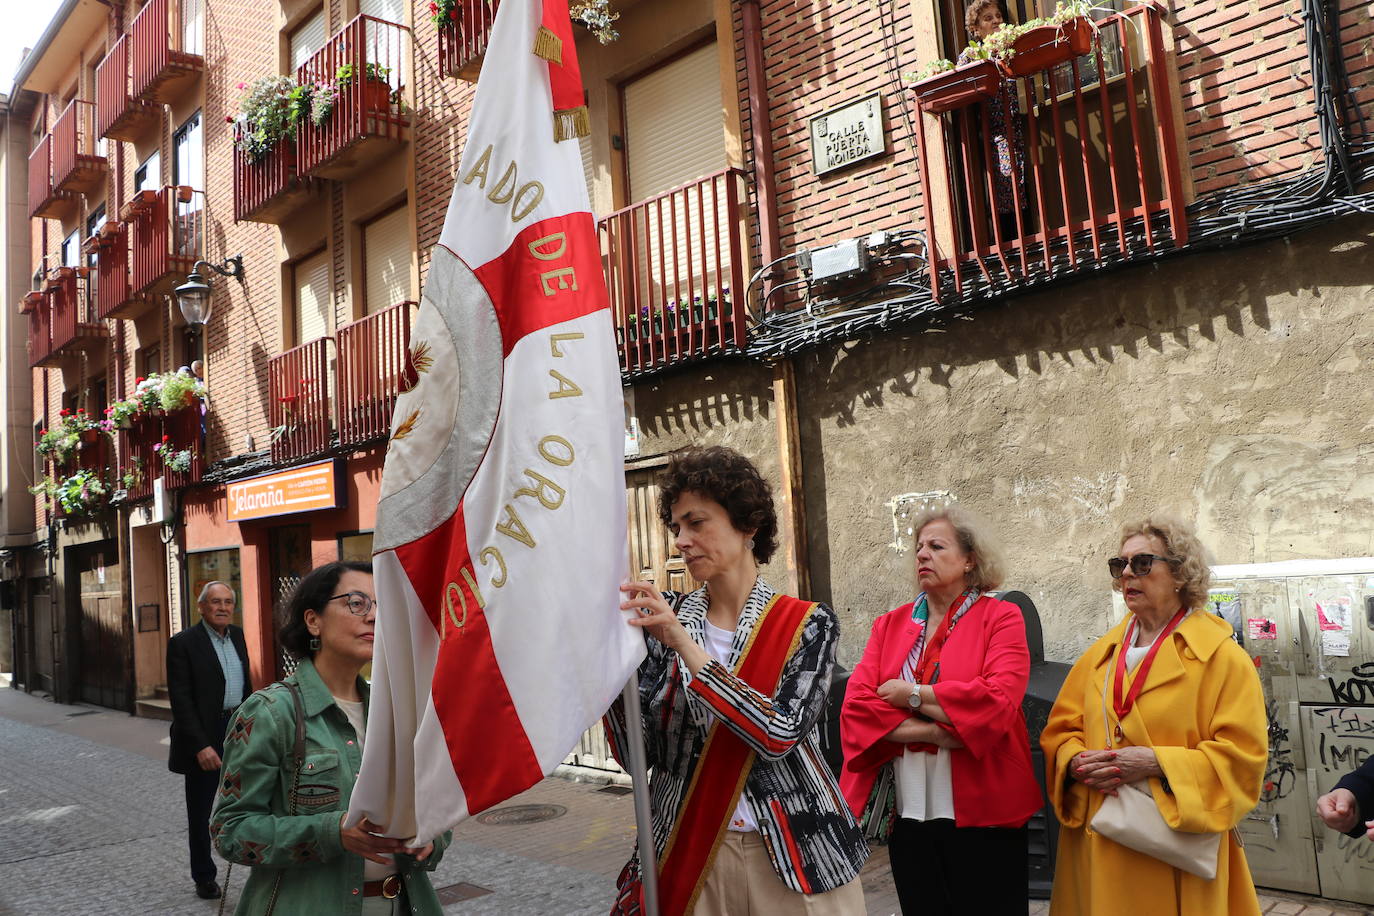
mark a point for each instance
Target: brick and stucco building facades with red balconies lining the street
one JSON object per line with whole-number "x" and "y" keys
{"x": 1171, "y": 317}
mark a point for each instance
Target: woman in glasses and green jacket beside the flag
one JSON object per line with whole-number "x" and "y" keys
{"x": 284, "y": 789}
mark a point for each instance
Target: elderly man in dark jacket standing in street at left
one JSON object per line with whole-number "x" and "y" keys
{"x": 208, "y": 678}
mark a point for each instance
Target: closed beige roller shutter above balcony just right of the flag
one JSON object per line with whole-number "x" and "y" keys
{"x": 675, "y": 124}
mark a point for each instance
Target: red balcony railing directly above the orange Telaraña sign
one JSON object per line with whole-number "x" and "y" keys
{"x": 299, "y": 402}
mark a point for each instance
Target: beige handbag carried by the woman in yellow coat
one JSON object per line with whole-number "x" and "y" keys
{"x": 1133, "y": 819}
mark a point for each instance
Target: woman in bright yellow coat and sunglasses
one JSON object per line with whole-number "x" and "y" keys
{"x": 1185, "y": 711}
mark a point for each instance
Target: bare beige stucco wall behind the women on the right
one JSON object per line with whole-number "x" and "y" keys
{"x": 1229, "y": 388}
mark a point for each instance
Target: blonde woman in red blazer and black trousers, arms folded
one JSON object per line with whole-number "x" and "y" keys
{"x": 936, "y": 752}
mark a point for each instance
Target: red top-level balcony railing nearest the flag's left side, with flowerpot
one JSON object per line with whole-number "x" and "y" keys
{"x": 368, "y": 62}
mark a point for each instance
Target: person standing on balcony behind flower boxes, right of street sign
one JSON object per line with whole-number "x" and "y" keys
{"x": 1008, "y": 133}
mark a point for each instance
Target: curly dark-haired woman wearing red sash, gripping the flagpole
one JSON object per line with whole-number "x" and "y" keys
{"x": 748, "y": 819}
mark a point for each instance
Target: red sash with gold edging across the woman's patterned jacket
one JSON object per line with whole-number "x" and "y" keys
{"x": 725, "y": 763}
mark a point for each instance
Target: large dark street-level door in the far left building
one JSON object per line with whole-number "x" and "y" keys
{"x": 104, "y": 637}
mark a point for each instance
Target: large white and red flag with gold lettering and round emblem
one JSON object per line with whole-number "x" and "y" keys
{"x": 501, "y": 535}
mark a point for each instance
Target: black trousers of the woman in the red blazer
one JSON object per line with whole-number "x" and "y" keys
{"x": 941, "y": 869}
